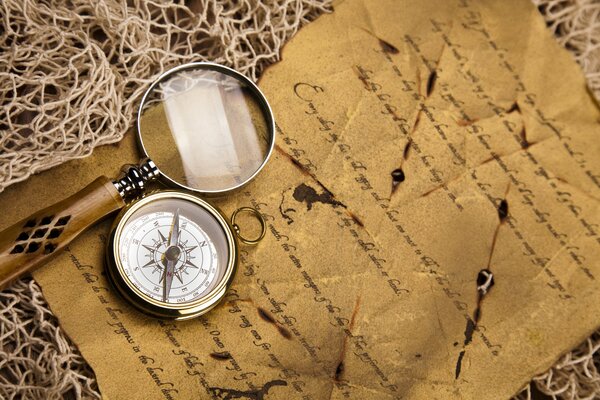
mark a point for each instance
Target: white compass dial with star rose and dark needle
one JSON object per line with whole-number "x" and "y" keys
{"x": 172, "y": 251}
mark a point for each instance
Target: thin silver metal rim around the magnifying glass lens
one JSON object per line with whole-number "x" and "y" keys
{"x": 266, "y": 108}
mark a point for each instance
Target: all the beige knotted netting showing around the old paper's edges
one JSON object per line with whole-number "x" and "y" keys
{"x": 71, "y": 74}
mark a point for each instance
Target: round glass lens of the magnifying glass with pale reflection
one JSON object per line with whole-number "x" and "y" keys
{"x": 206, "y": 128}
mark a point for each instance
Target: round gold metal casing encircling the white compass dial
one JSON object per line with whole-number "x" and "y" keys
{"x": 143, "y": 302}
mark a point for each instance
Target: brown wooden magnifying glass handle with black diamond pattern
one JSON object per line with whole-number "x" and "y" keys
{"x": 34, "y": 240}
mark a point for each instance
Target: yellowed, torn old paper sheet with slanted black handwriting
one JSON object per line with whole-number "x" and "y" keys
{"x": 366, "y": 285}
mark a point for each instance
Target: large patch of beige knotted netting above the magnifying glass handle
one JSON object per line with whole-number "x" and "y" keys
{"x": 72, "y": 73}
